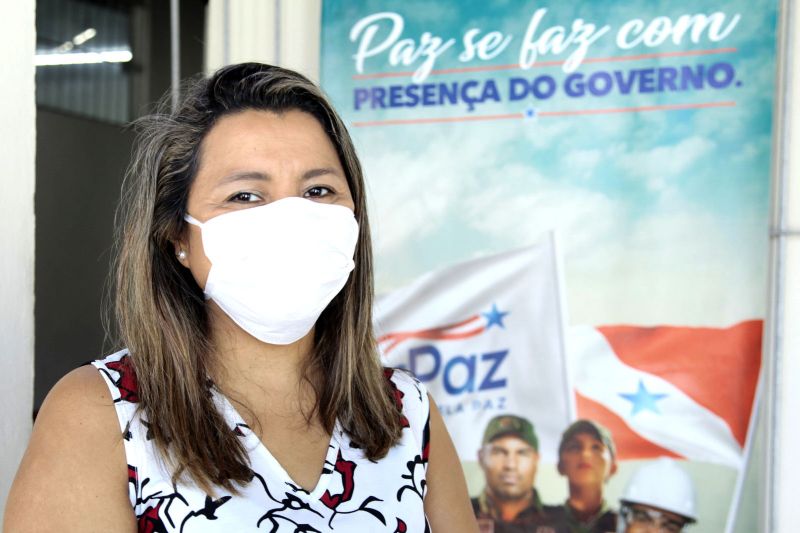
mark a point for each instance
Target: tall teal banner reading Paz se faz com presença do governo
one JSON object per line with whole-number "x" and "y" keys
{"x": 640, "y": 131}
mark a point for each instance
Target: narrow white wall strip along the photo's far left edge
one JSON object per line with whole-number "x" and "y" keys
{"x": 17, "y": 179}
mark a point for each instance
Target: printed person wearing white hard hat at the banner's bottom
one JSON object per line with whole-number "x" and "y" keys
{"x": 659, "y": 498}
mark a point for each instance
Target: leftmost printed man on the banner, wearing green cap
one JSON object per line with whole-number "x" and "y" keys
{"x": 508, "y": 457}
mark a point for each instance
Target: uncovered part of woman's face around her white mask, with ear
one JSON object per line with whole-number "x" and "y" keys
{"x": 252, "y": 158}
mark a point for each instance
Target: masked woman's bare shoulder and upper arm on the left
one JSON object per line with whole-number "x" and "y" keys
{"x": 74, "y": 470}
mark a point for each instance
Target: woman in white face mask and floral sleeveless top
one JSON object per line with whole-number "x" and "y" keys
{"x": 250, "y": 394}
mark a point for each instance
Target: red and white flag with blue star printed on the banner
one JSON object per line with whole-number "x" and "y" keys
{"x": 669, "y": 391}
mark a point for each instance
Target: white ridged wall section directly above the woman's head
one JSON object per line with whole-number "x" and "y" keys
{"x": 253, "y": 34}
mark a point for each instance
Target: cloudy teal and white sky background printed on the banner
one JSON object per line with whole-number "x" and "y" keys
{"x": 664, "y": 204}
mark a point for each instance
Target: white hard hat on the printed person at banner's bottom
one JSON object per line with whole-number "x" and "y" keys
{"x": 664, "y": 485}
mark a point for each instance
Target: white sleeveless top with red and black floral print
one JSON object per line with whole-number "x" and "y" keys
{"x": 353, "y": 494}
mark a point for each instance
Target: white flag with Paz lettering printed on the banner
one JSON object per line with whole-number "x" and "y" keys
{"x": 486, "y": 337}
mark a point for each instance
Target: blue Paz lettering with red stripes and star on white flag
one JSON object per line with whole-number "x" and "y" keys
{"x": 462, "y": 372}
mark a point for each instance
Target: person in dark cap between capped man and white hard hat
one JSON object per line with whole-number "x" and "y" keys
{"x": 587, "y": 458}
